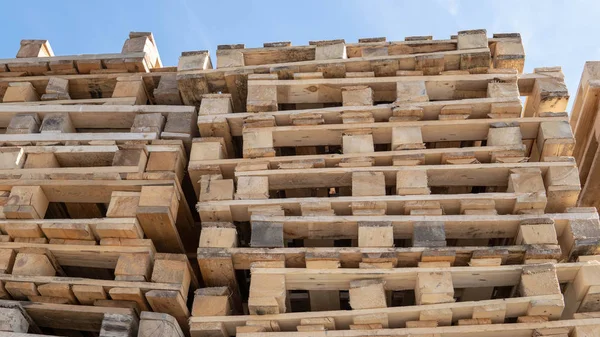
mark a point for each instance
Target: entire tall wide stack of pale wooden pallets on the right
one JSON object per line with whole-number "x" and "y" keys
{"x": 402, "y": 180}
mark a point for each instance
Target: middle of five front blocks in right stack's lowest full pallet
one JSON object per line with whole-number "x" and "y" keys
{"x": 367, "y": 294}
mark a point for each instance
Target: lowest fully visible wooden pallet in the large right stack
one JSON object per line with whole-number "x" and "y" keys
{"x": 369, "y": 290}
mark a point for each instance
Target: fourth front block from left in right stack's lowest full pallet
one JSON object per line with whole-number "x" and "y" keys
{"x": 434, "y": 287}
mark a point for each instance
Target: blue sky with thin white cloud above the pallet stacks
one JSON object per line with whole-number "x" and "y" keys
{"x": 563, "y": 33}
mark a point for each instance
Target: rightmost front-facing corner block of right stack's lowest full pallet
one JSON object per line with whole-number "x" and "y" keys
{"x": 537, "y": 280}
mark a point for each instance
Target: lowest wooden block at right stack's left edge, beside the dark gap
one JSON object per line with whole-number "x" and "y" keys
{"x": 213, "y": 301}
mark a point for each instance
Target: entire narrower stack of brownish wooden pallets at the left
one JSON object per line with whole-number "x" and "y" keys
{"x": 95, "y": 222}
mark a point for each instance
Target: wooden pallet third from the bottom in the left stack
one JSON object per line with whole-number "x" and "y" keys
{"x": 135, "y": 209}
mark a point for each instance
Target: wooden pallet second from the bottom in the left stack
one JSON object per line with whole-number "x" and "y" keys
{"x": 143, "y": 280}
